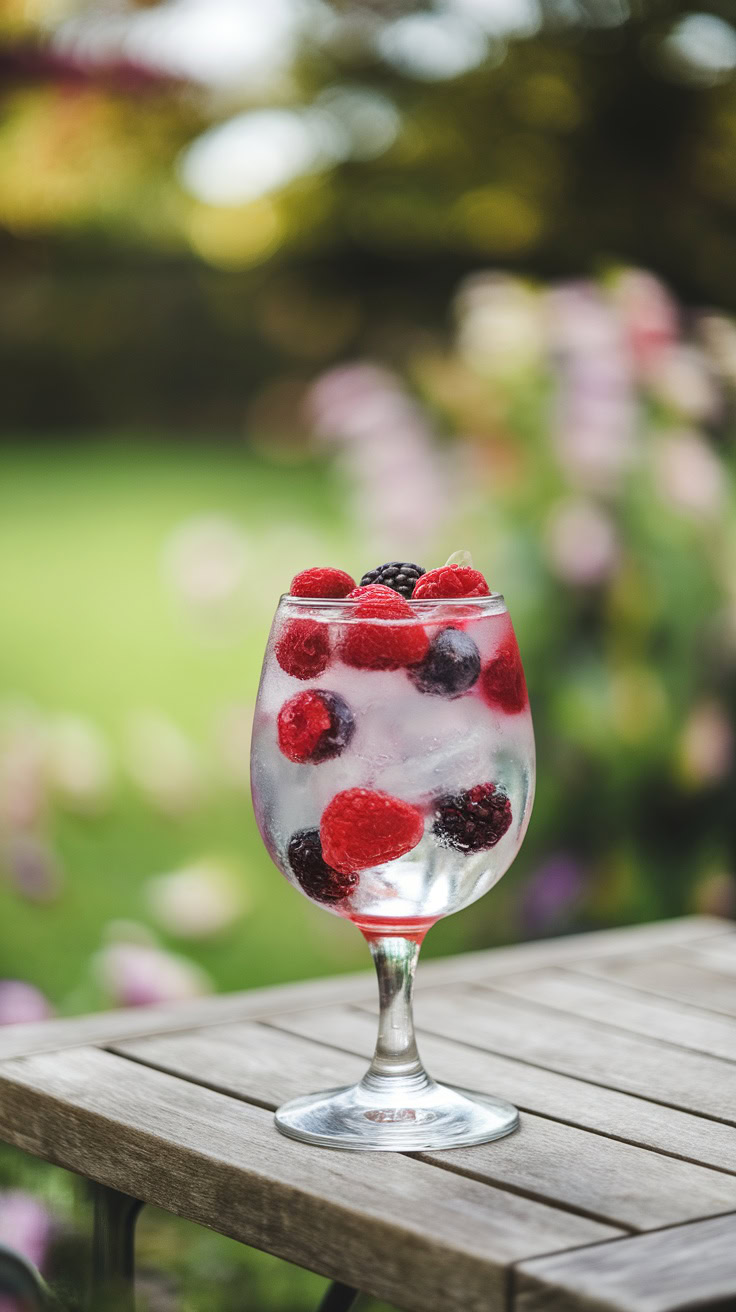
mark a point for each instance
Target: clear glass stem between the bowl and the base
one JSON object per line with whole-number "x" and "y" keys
{"x": 396, "y": 1058}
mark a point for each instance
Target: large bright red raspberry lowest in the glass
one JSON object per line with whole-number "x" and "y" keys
{"x": 361, "y": 829}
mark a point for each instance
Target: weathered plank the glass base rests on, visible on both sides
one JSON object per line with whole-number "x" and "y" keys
{"x": 587, "y": 1174}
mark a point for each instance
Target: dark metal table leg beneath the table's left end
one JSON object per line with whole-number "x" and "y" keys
{"x": 113, "y": 1258}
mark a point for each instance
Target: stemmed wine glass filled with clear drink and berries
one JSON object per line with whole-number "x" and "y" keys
{"x": 393, "y": 776}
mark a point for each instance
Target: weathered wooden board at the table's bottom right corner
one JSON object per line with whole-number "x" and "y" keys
{"x": 674, "y": 1271}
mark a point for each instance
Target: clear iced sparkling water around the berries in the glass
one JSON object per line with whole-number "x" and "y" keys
{"x": 414, "y": 746}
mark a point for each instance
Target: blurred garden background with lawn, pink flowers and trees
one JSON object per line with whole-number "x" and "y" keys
{"x": 340, "y": 283}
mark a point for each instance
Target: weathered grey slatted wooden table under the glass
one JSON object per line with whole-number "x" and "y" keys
{"x": 617, "y": 1193}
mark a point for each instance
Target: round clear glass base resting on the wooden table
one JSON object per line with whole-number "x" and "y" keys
{"x": 407, "y": 1116}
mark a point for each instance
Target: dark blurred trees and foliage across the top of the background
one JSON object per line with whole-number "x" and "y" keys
{"x": 578, "y": 134}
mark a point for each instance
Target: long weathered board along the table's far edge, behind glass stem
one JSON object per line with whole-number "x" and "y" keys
{"x": 107, "y": 1027}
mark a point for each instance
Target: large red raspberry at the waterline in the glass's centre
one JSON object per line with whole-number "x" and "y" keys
{"x": 378, "y": 645}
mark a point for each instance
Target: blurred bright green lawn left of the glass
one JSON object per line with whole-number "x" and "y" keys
{"x": 91, "y": 628}
